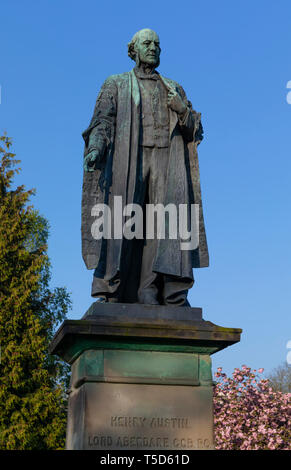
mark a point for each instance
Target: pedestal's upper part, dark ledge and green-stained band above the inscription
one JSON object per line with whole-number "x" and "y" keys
{"x": 141, "y": 345}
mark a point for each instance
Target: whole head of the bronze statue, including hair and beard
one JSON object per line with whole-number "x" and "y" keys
{"x": 145, "y": 48}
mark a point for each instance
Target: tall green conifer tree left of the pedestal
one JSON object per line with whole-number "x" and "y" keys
{"x": 32, "y": 383}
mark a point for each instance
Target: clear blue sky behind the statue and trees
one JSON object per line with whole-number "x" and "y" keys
{"x": 233, "y": 60}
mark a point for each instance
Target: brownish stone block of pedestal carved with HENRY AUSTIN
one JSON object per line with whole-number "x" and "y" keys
{"x": 138, "y": 416}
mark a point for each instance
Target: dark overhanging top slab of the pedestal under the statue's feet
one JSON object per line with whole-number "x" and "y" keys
{"x": 141, "y": 327}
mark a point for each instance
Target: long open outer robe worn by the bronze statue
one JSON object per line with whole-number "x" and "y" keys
{"x": 119, "y": 175}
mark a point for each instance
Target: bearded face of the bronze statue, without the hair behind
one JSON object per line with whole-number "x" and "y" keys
{"x": 148, "y": 48}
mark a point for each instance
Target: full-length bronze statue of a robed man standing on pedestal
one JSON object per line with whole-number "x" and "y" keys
{"x": 141, "y": 145}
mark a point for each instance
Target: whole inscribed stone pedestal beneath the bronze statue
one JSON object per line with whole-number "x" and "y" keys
{"x": 141, "y": 377}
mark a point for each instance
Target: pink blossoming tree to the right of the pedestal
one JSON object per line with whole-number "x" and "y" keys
{"x": 249, "y": 414}
